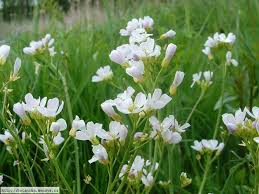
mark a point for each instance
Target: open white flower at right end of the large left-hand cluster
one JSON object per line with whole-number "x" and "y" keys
{"x": 53, "y": 108}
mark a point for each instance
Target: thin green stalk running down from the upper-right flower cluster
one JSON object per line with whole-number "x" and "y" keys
{"x": 224, "y": 73}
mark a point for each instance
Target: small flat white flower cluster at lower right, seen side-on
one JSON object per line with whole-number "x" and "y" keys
{"x": 208, "y": 146}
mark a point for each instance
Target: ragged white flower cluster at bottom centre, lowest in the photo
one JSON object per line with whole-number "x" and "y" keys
{"x": 139, "y": 170}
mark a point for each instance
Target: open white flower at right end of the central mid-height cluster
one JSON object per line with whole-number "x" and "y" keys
{"x": 157, "y": 100}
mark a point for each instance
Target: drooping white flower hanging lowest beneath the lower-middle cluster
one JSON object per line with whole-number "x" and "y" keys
{"x": 100, "y": 154}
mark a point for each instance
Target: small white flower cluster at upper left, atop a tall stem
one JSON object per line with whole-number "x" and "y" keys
{"x": 40, "y": 46}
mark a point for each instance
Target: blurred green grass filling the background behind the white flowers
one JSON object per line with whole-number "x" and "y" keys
{"x": 87, "y": 46}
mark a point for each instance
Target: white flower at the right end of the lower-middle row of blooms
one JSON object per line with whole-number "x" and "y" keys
{"x": 116, "y": 131}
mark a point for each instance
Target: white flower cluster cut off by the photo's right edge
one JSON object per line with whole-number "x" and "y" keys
{"x": 241, "y": 125}
